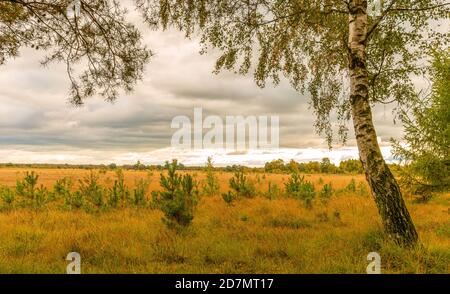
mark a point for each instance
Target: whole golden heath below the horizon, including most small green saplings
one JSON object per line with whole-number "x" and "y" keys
{"x": 267, "y": 232}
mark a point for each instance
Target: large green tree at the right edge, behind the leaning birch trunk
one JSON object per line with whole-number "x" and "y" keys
{"x": 427, "y": 134}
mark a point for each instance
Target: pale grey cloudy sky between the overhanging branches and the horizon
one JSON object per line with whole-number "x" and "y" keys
{"x": 38, "y": 125}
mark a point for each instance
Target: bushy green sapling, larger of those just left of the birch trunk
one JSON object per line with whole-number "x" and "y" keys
{"x": 297, "y": 187}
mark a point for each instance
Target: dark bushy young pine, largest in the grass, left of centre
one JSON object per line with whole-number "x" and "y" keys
{"x": 178, "y": 198}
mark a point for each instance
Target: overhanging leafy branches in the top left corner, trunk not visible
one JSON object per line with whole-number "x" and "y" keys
{"x": 107, "y": 44}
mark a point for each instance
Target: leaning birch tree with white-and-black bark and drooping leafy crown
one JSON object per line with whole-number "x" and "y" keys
{"x": 348, "y": 55}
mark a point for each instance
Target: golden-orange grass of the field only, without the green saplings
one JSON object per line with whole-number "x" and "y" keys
{"x": 253, "y": 236}
